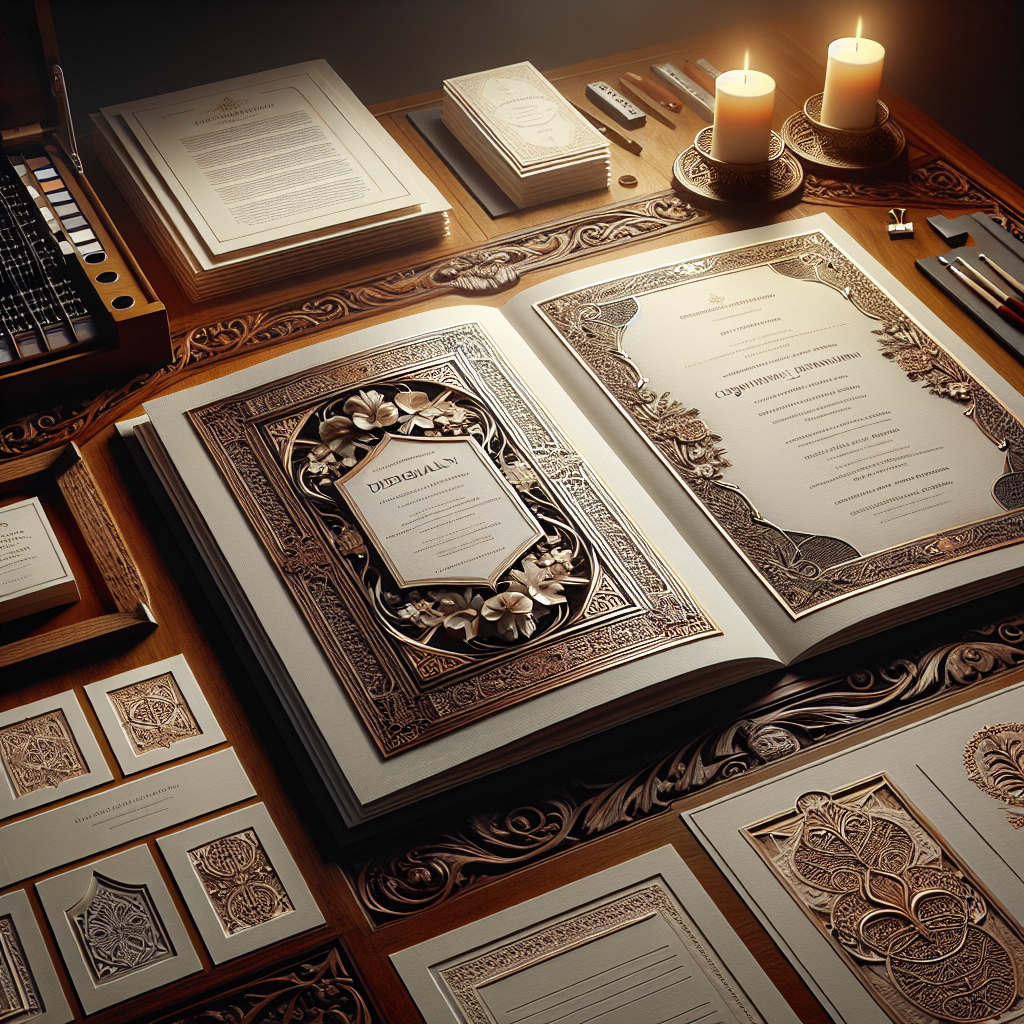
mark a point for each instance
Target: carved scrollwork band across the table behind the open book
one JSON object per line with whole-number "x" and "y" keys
{"x": 485, "y": 270}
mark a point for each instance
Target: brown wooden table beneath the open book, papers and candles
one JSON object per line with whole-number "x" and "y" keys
{"x": 954, "y": 657}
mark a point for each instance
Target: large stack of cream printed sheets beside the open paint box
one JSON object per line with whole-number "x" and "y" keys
{"x": 242, "y": 183}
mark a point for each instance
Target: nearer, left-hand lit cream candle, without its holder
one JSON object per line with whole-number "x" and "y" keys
{"x": 745, "y": 102}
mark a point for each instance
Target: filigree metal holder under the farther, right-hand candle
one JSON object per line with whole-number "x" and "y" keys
{"x": 843, "y": 149}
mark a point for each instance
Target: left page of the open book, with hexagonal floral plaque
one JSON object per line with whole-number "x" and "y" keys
{"x": 484, "y": 584}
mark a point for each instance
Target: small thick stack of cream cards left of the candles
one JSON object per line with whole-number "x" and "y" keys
{"x": 526, "y": 135}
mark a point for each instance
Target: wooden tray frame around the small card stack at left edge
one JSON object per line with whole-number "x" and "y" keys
{"x": 124, "y": 585}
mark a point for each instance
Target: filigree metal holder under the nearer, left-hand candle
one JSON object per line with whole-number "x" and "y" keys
{"x": 698, "y": 173}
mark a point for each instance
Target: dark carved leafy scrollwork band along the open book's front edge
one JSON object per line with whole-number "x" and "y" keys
{"x": 791, "y": 715}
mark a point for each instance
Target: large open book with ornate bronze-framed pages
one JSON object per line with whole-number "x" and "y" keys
{"x": 467, "y": 536}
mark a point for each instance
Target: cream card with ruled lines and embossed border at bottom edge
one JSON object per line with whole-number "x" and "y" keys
{"x": 639, "y": 944}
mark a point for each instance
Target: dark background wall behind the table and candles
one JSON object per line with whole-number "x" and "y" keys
{"x": 960, "y": 62}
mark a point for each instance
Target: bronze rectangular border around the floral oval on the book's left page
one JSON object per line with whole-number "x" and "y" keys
{"x": 638, "y": 608}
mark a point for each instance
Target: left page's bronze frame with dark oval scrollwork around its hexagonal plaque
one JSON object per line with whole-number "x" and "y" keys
{"x": 410, "y": 688}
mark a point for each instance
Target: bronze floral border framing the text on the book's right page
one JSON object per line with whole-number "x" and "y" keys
{"x": 803, "y": 573}
